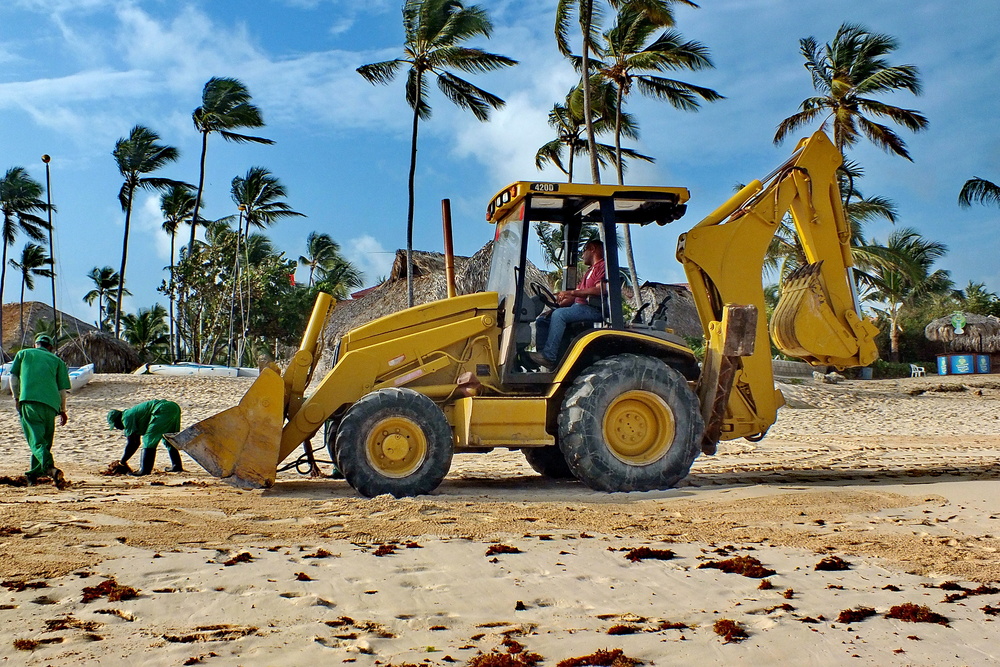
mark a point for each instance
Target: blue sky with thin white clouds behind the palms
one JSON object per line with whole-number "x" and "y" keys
{"x": 76, "y": 75}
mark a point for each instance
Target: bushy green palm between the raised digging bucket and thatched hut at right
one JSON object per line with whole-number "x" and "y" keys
{"x": 905, "y": 277}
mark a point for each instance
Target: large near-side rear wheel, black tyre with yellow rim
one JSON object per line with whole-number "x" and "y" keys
{"x": 630, "y": 423}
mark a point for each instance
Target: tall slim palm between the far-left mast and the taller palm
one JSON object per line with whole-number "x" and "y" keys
{"x": 136, "y": 155}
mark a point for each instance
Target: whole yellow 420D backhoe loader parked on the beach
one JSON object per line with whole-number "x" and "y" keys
{"x": 628, "y": 407}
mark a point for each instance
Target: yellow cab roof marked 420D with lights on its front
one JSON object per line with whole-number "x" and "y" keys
{"x": 561, "y": 203}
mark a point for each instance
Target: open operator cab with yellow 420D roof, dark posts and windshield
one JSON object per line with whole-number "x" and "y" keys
{"x": 573, "y": 206}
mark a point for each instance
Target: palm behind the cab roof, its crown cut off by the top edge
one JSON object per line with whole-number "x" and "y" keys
{"x": 658, "y": 11}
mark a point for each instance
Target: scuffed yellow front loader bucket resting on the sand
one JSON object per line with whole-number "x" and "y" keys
{"x": 240, "y": 445}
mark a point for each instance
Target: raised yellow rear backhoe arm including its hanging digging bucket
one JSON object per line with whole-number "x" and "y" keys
{"x": 817, "y": 318}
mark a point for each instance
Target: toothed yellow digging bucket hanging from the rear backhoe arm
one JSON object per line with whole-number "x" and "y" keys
{"x": 805, "y": 325}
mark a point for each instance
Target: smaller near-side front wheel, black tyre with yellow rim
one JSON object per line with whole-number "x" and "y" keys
{"x": 394, "y": 441}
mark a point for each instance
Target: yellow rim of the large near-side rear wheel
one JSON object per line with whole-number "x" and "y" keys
{"x": 639, "y": 427}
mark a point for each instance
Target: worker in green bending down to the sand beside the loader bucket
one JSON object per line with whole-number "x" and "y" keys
{"x": 148, "y": 421}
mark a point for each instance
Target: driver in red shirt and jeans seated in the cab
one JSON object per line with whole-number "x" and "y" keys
{"x": 573, "y": 307}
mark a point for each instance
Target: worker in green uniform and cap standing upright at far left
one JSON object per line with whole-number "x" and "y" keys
{"x": 39, "y": 382}
